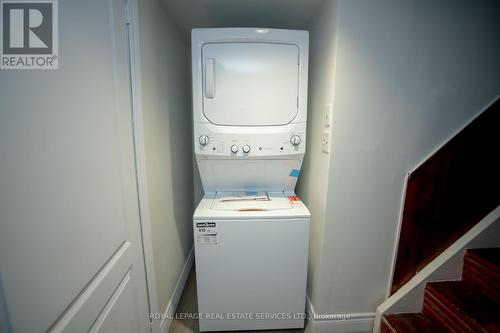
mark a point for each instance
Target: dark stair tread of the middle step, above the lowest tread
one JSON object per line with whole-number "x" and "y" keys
{"x": 468, "y": 302}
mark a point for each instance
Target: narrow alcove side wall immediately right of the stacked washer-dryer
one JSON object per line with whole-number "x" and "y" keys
{"x": 313, "y": 182}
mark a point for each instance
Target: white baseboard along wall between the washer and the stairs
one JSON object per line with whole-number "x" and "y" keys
{"x": 352, "y": 322}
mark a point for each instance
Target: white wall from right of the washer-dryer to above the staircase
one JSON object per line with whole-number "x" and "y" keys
{"x": 408, "y": 75}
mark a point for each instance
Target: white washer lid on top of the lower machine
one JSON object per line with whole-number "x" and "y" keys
{"x": 251, "y": 201}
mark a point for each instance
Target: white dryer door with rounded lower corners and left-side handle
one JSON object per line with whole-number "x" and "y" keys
{"x": 250, "y": 84}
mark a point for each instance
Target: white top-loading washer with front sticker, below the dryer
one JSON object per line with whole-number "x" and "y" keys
{"x": 251, "y": 261}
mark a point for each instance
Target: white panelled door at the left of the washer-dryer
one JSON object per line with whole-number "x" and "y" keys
{"x": 70, "y": 248}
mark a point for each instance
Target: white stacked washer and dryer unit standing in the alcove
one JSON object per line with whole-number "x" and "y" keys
{"x": 250, "y": 230}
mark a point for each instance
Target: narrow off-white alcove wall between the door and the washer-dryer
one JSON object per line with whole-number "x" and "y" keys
{"x": 167, "y": 138}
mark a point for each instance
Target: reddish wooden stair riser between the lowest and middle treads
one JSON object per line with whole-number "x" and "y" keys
{"x": 444, "y": 313}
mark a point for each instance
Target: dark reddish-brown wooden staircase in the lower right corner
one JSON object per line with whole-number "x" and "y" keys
{"x": 471, "y": 305}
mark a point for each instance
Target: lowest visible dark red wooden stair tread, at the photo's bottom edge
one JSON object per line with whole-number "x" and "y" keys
{"x": 412, "y": 323}
